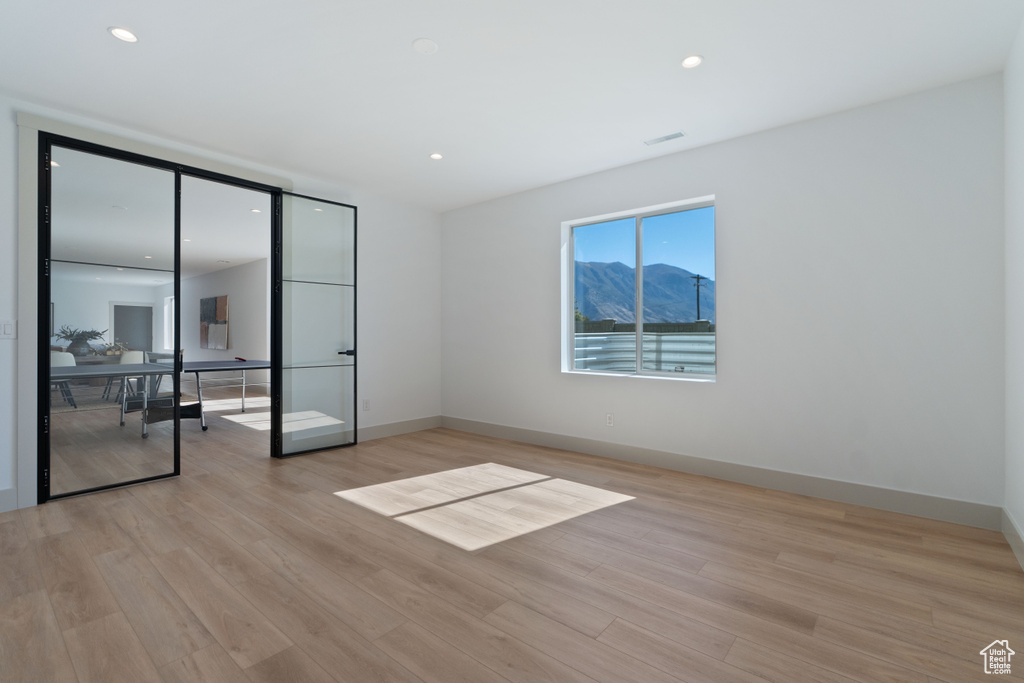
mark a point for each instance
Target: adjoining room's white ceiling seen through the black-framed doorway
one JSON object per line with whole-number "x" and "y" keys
{"x": 121, "y": 216}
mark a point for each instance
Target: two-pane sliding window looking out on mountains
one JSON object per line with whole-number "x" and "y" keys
{"x": 639, "y": 292}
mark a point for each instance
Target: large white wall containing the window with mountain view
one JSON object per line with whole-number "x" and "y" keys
{"x": 861, "y": 302}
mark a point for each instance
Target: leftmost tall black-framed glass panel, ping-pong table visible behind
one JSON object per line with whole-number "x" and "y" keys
{"x": 111, "y": 408}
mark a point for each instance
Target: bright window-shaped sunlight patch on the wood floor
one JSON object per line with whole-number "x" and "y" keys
{"x": 479, "y": 506}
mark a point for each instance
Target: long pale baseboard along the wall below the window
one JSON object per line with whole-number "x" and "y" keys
{"x": 960, "y": 513}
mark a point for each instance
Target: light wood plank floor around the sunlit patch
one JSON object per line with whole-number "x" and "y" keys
{"x": 247, "y": 569}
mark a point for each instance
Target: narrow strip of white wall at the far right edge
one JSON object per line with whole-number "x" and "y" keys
{"x": 1014, "y": 504}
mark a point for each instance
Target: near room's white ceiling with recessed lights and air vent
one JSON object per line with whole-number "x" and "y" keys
{"x": 522, "y": 94}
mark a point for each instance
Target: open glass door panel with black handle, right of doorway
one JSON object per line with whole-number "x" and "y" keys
{"x": 318, "y": 314}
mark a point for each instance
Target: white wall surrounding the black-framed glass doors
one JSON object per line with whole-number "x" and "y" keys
{"x": 399, "y": 298}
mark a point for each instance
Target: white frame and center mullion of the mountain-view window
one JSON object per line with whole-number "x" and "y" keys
{"x": 569, "y": 286}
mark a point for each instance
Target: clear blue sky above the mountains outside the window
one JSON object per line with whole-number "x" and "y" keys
{"x": 686, "y": 240}
